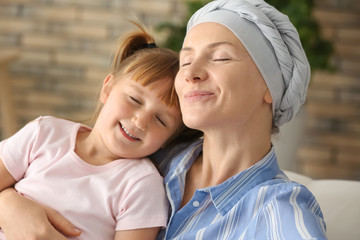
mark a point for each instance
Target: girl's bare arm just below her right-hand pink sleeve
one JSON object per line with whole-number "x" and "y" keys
{"x": 138, "y": 234}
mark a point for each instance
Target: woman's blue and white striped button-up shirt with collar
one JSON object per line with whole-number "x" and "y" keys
{"x": 257, "y": 203}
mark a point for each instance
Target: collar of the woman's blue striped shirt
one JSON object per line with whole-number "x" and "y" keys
{"x": 225, "y": 195}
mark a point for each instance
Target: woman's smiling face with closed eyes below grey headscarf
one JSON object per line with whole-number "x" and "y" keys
{"x": 218, "y": 83}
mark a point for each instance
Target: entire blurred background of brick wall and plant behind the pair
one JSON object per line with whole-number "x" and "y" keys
{"x": 54, "y": 55}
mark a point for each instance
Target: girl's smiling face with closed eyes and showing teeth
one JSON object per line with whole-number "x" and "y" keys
{"x": 134, "y": 122}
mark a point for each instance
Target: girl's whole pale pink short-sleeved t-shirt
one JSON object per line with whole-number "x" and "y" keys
{"x": 121, "y": 195}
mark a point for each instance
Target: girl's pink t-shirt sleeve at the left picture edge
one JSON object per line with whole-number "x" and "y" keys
{"x": 16, "y": 151}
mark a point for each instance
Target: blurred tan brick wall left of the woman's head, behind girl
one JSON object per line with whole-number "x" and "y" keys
{"x": 65, "y": 49}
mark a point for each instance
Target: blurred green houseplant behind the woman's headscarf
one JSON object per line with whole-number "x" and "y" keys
{"x": 317, "y": 49}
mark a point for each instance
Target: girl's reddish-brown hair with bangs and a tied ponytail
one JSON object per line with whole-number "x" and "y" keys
{"x": 137, "y": 55}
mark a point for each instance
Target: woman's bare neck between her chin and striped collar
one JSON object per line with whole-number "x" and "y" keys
{"x": 225, "y": 155}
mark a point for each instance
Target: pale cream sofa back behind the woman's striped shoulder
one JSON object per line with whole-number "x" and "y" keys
{"x": 340, "y": 204}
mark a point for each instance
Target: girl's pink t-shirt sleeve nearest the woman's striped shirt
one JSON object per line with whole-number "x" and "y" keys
{"x": 145, "y": 206}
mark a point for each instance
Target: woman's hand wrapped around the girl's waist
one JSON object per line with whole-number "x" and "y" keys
{"x": 22, "y": 218}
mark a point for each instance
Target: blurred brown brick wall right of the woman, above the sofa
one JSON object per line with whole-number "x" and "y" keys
{"x": 331, "y": 148}
